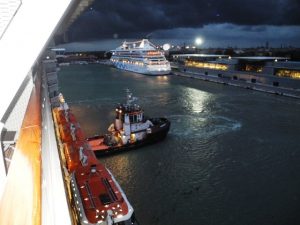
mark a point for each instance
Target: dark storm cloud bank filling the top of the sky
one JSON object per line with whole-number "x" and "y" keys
{"x": 134, "y": 18}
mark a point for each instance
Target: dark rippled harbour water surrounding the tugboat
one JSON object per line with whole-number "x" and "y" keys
{"x": 232, "y": 155}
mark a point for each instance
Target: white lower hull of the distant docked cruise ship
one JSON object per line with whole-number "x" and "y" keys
{"x": 148, "y": 70}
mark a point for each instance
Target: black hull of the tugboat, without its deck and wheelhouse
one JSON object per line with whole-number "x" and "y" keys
{"x": 158, "y": 133}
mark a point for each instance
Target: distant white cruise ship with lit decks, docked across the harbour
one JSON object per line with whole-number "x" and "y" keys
{"x": 140, "y": 57}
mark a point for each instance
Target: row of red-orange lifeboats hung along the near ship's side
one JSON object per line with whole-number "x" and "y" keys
{"x": 97, "y": 197}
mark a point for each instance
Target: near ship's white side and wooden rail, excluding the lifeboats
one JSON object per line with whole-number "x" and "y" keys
{"x": 32, "y": 189}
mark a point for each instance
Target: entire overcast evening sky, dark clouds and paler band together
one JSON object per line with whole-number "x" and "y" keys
{"x": 221, "y": 23}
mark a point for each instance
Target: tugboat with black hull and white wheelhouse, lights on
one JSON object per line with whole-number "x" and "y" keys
{"x": 131, "y": 129}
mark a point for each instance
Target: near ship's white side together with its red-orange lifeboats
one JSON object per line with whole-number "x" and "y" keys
{"x": 37, "y": 184}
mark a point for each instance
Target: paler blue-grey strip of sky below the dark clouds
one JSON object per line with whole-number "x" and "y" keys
{"x": 214, "y": 35}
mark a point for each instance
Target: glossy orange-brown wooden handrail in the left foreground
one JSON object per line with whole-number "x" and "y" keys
{"x": 21, "y": 199}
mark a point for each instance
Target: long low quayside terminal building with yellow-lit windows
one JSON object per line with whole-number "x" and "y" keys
{"x": 282, "y": 75}
